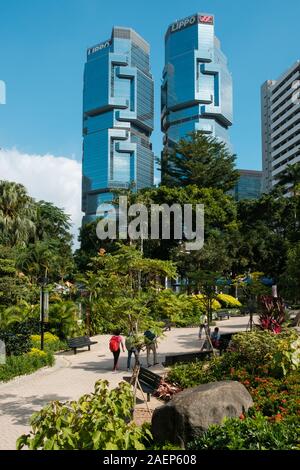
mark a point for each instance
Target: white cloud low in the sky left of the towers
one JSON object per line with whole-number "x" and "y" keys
{"x": 53, "y": 179}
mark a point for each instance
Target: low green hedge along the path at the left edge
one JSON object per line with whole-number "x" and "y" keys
{"x": 25, "y": 364}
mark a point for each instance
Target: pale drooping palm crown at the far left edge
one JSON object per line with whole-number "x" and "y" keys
{"x": 17, "y": 214}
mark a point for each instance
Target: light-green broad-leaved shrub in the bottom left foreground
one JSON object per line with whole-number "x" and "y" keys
{"x": 99, "y": 421}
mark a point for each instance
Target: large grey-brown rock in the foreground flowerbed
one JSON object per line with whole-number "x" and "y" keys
{"x": 192, "y": 411}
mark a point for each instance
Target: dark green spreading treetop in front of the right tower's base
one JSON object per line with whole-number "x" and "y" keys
{"x": 201, "y": 160}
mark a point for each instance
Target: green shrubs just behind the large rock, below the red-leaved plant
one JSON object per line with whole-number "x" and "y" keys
{"x": 257, "y": 352}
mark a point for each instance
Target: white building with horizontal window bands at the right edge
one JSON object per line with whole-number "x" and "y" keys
{"x": 280, "y": 116}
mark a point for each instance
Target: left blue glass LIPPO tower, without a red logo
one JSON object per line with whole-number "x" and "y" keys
{"x": 118, "y": 108}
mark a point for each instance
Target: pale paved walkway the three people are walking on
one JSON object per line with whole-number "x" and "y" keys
{"x": 75, "y": 375}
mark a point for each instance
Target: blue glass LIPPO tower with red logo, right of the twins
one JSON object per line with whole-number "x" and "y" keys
{"x": 197, "y": 86}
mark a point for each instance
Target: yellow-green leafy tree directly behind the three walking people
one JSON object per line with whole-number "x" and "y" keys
{"x": 120, "y": 289}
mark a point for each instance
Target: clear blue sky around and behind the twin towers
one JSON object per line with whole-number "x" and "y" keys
{"x": 43, "y": 47}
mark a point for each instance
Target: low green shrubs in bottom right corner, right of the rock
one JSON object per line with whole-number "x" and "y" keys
{"x": 251, "y": 433}
